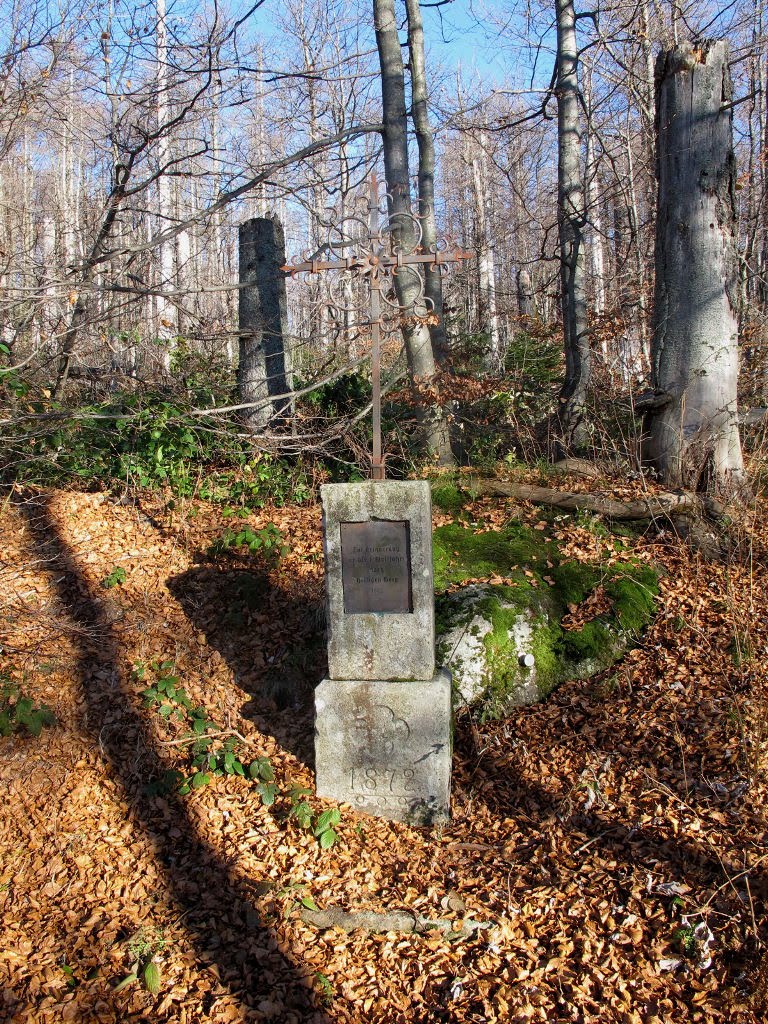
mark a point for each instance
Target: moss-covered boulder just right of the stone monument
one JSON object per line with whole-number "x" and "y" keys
{"x": 575, "y": 618}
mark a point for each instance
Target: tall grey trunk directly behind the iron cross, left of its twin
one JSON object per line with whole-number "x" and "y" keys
{"x": 416, "y": 334}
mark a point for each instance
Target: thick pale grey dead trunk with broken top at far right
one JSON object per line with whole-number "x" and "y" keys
{"x": 693, "y": 425}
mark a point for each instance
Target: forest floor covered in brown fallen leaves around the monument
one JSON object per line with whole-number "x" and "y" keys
{"x": 615, "y": 838}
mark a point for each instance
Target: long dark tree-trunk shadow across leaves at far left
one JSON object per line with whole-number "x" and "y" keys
{"x": 220, "y": 913}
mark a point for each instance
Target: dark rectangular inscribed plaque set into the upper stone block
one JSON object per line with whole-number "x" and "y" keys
{"x": 376, "y": 567}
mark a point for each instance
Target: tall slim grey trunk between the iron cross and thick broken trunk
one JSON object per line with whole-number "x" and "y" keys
{"x": 571, "y": 217}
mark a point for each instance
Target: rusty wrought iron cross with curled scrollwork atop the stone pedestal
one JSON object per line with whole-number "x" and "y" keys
{"x": 376, "y": 259}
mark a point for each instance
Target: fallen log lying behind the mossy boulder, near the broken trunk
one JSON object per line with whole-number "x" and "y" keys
{"x": 662, "y": 506}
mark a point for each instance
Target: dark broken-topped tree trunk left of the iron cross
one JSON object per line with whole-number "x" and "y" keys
{"x": 263, "y": 371}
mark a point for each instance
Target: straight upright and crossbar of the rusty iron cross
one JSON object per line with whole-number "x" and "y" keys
{"x": 376, "y": 261}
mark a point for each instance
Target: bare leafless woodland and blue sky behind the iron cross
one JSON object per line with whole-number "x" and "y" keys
{"x": 136, "y": 140}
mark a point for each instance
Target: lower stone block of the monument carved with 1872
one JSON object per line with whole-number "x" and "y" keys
{"x": 385, "y": 746}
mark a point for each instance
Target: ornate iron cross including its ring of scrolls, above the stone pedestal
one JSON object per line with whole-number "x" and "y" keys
{"x": 370, "y": 251}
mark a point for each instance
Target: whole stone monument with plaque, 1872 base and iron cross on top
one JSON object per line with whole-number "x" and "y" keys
{"x": 383, "y": 716}
